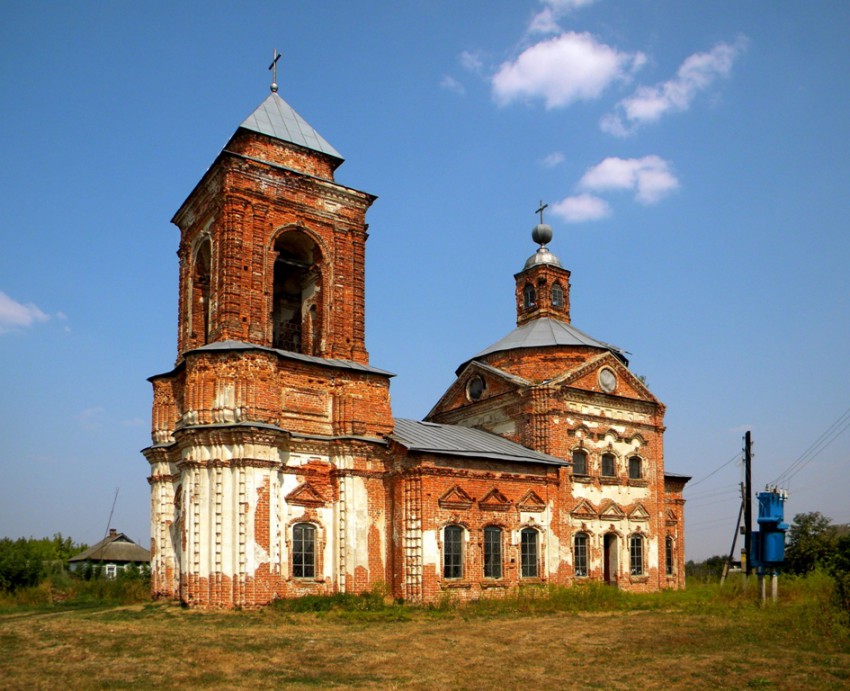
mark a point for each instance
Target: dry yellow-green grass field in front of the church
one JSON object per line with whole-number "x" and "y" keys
{"x": 579, "y": 638}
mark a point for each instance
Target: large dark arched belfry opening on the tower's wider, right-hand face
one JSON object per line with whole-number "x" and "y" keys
{"x": 297, "y": 312}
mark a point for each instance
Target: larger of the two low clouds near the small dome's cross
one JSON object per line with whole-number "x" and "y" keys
{"x": 650, "y": 177}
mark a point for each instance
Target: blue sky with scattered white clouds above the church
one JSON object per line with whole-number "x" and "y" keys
{"x": 693, "y": 156}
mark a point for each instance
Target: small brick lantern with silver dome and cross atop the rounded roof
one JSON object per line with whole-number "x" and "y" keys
{"x": 543, "y": 285}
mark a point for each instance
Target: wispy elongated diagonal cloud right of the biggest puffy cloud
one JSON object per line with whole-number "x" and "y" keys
{"x": 650, "y": 103}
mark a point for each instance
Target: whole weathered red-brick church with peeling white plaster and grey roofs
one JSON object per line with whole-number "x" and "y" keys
{"x": 277, "y": 468}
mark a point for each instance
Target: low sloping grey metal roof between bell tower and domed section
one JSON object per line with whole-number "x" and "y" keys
{"x": 455, "y": 440}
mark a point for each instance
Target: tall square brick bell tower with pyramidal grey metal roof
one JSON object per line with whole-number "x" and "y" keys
{"x": 272, "y": 406}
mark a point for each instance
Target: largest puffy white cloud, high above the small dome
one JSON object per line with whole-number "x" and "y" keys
{"x": 563, "y": 69}
